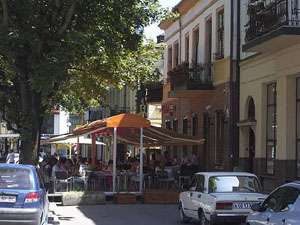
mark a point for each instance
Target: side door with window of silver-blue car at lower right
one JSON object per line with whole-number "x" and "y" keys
{"x": 288, "y": 197}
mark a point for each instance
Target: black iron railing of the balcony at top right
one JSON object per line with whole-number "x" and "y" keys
{"x": 267, "y": 16}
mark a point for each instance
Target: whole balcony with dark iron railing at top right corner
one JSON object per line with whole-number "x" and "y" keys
{"x": 272, "y": 26}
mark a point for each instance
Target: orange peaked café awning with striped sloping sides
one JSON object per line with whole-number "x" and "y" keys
{"x": 128, "y": 131}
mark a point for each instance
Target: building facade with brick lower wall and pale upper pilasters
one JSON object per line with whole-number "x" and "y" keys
{"x": 198, "y": 85}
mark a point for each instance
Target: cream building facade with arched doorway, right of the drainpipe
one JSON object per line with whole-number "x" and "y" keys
{"x": 270, "y": 90}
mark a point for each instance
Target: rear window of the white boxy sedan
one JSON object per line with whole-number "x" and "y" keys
{"x": 222, "y": 184}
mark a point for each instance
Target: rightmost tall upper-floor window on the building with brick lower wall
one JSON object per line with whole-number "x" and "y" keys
{"x": 220, "y": 35}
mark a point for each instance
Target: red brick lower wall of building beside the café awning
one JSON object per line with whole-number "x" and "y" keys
{"x": 208, "y": 106}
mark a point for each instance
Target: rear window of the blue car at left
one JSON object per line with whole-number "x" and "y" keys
{"x": 15, "y": 178}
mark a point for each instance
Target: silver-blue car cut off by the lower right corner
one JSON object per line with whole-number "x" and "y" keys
{"x": 281, "y": 207}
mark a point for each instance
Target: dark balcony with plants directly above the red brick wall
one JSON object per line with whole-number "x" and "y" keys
{"x": 191, "y": 77}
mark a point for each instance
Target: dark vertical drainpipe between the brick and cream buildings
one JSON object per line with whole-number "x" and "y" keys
{"x": 234, "y": 83}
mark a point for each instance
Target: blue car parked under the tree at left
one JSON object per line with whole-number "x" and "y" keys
{"x": 23, "y": 197}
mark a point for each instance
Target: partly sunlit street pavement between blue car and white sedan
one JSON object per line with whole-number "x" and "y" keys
{"x": 110, "y": 214}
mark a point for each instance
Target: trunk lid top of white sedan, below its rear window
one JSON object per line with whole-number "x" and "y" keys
{"x": 239, "y": 196}
